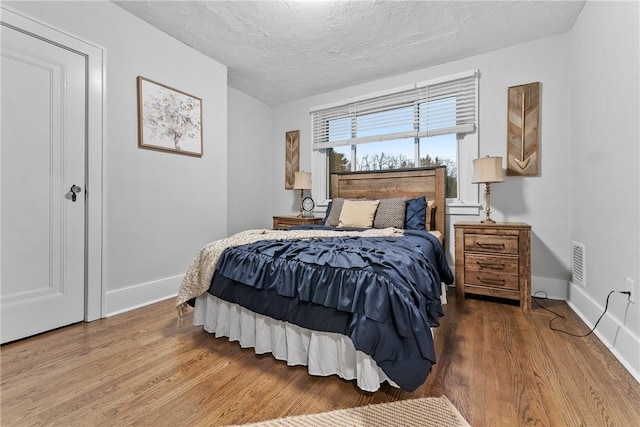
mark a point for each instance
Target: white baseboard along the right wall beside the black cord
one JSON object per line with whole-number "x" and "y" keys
{"x": 621, "y": 341}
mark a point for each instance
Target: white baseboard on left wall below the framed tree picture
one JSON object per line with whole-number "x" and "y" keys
{"x": 136, "y": 296}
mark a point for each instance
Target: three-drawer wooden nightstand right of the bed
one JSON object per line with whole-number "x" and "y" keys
{"x": 494, "y": 260}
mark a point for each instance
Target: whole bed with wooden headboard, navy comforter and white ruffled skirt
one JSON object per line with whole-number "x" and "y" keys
{"x": 348, "y": 301}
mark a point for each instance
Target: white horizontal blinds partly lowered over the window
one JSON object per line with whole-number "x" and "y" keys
{"x": 431, "y": 108}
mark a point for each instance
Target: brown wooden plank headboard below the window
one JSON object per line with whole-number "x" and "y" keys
{"x": 409, "y": 183}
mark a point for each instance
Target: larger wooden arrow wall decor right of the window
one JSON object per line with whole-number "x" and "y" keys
{"x": 523, "y": 130}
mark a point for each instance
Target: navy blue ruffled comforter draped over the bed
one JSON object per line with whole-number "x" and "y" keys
{"x": 383, "y": 292}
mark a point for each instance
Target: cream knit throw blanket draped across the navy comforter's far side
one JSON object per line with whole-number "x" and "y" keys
{"x": 198, "y": 277}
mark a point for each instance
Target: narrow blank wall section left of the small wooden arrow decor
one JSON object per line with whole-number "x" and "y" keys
{"x": 250, "y": 172}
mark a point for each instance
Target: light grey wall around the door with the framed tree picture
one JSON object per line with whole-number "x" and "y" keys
{"x": 159, "y": 208}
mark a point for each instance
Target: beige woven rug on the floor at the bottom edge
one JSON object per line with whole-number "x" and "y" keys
{"x": 425, "y": 412}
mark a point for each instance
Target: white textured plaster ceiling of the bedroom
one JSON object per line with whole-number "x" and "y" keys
{"x": 279, "y": 51}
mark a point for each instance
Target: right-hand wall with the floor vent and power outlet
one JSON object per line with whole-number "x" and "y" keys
{"x": 603, "y": 161}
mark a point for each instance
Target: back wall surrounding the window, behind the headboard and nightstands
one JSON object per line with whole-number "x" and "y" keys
{"x": 540, "y": 201}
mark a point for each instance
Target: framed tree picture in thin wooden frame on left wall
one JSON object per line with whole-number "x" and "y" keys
{"x": 169, "y": 119}
